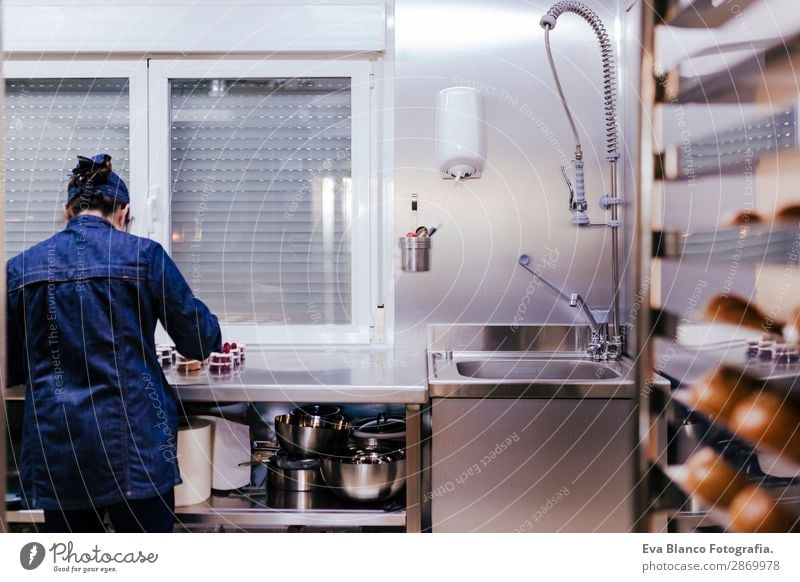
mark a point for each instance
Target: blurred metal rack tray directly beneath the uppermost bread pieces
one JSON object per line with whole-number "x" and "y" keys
{"x": 758, "y": 244}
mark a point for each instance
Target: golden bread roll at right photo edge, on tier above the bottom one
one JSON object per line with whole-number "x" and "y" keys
{"x": 767, "y": 419}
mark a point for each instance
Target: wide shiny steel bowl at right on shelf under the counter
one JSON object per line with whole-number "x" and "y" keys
{"x": 365, "y": 474}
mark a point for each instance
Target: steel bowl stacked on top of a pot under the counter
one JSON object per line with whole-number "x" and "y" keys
{"x": 303, "y": 437}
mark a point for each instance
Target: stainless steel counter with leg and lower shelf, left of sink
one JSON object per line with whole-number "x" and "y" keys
{"x": 378, "y": 376}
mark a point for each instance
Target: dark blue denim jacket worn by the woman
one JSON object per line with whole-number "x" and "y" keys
{"x": 100, "y": 420}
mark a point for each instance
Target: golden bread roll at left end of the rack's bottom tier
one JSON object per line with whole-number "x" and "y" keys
{"x": 710, "y": 478}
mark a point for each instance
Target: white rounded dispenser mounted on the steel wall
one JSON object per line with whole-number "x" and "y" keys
{"x": 460, "y": 133}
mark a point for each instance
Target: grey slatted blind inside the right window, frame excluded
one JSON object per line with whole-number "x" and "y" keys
{"x": 261, "y": 200}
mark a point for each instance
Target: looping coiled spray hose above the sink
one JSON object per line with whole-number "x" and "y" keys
{"x": 548, "y": 22}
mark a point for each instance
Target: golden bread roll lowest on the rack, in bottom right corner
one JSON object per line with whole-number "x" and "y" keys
{"x": 754, "y": 510}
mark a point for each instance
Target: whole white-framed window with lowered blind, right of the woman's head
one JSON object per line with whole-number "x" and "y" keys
{"x": 268, "y": 199}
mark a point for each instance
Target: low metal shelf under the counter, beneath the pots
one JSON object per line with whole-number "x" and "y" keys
{"x": 253, "y": 512}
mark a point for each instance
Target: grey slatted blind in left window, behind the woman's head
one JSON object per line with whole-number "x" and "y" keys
{"x": 48, "y": 123}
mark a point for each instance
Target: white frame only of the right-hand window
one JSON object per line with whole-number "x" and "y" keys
{"x": 158, "y": 204}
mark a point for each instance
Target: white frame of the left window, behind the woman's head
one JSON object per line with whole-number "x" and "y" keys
{"x": 136, "y": 73}
